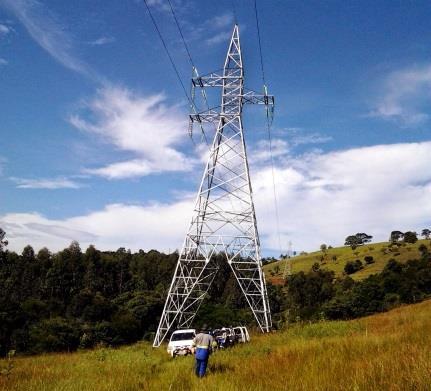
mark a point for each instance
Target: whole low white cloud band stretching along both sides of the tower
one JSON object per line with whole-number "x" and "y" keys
{"x": 322, "y": 199}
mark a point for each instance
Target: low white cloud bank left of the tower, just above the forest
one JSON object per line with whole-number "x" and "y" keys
{"x": 118, "y": 225}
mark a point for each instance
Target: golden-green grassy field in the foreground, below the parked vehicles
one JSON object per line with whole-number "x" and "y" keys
{"x": 390, "y": 351}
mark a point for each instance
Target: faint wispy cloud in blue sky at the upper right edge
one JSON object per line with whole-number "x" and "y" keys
{"x": 406, "y": 96}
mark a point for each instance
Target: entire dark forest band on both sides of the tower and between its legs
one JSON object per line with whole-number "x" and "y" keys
{"x": 76, "y": 299}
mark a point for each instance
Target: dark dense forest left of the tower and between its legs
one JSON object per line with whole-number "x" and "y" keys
{"x": 71, "y": 299}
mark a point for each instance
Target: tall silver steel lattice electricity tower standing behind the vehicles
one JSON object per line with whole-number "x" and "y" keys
{"x": 224, "y": 220}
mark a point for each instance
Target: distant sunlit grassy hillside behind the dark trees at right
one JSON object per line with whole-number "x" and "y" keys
{"x": 336, "y": 258}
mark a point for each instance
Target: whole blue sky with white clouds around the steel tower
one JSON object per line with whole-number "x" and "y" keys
{"x": 93, "y": 127}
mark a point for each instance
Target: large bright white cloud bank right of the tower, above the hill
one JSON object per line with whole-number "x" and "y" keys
{"x": 325, "y": 197}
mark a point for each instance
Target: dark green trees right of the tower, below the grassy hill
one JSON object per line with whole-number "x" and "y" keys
{"x": 317, "y": 294}
